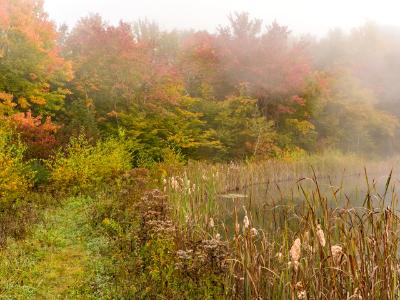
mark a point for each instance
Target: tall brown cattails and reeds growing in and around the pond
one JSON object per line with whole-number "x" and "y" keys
{"x": 324, "y": 246}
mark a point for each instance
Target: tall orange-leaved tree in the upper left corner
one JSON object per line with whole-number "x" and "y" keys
{"x": 31, "y": 68}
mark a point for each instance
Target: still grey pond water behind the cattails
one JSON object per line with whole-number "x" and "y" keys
{"x": 269, "y": 203}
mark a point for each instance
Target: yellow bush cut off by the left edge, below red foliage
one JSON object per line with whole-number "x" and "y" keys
{"x": 15, "y": 175}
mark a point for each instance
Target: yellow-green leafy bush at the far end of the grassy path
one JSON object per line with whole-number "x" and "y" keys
{"x": 82, "y": 165}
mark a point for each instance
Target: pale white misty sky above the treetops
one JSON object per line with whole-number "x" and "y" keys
{"x": 302, "y": 16}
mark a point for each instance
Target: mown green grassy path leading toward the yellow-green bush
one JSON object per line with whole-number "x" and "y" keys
{"x": 61, "y": 258}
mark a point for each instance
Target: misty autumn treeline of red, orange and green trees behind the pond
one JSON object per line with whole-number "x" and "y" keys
{"x": 246, "y": 90}
